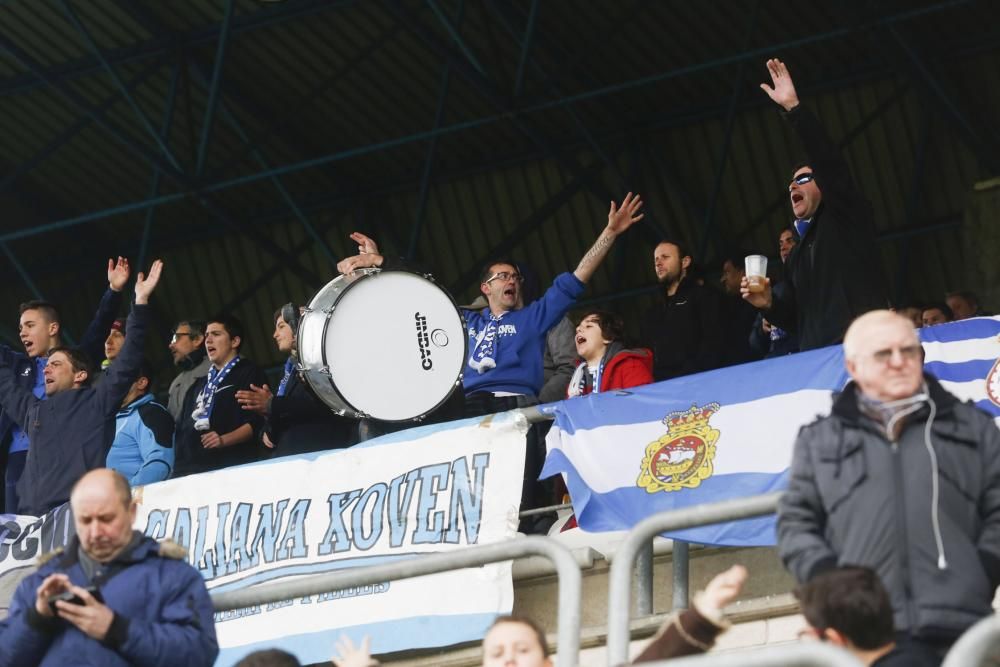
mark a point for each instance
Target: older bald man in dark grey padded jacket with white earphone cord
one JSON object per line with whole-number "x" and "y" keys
{"x": 903, "y": 478}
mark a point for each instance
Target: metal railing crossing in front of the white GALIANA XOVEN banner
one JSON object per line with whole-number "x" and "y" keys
{"x": 569, "y": 578}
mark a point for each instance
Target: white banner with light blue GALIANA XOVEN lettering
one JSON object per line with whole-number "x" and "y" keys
{"x": 426, "y": 490}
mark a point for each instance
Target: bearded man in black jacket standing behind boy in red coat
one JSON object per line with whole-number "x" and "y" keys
{"x": 684, "y": 330}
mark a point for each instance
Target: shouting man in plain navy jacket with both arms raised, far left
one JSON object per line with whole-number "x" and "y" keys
{"x": 72, "y": 430}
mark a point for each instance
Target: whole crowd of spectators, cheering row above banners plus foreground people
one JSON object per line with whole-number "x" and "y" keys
{"x": 65, "y": 415}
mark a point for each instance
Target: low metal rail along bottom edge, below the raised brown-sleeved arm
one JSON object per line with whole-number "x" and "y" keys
{"x": 811, "y": 654}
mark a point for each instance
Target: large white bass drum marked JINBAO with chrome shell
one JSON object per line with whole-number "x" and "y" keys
{"x": 390, "y": 345}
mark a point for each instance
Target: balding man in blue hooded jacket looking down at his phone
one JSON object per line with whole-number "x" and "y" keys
{"x": 126, "y": 599}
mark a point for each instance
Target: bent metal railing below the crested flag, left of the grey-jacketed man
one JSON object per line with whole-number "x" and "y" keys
{"x": 620, "y": 591}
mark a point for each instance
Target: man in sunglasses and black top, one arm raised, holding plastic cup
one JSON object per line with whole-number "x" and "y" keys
{"x": 834, "y": 273}
